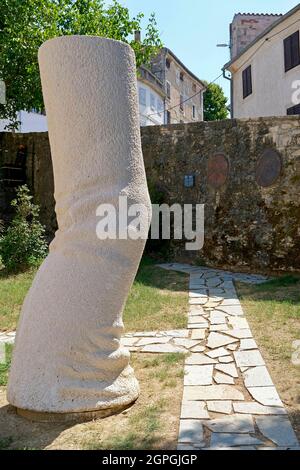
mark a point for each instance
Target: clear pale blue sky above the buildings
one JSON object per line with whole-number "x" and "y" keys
{"x": 193, "y": 28}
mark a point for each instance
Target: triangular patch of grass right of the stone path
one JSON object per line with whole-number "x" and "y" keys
{"x": 273, "y": 311}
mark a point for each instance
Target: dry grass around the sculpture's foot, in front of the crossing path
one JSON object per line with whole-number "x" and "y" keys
{"x": 152, "y": 423}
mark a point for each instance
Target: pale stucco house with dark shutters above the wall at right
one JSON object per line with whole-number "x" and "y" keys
{"x": 265, "y": 72}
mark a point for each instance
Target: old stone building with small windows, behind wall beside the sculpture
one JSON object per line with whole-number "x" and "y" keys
{"x": 183, "y": 90}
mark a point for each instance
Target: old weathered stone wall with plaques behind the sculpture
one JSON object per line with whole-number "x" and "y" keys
{"x": 246, "y": 172}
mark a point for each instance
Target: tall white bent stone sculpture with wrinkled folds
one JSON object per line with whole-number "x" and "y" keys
{"x": 67, "y": 360}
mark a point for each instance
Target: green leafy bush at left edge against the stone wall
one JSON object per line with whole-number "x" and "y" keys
{"x": 23, "y": 244}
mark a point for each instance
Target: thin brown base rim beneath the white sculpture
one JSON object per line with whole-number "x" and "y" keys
{"x": 77, "y": 417}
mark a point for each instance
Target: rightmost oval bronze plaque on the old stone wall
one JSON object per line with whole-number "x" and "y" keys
{"x": 268, "y": 168}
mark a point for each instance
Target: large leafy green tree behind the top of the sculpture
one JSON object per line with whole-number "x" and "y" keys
{"x": 26, "y": 24}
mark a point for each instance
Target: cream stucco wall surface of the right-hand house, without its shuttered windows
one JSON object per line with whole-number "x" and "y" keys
{"x": 272, "y": 86}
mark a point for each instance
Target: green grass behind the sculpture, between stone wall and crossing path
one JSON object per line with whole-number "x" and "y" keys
{"x": 158, "y": 299}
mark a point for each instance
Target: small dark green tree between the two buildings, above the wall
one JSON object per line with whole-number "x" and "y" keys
{"x": 215, "y": 103}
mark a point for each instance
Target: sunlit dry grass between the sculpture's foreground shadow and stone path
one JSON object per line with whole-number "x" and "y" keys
{"x": 147, "y": 424}
